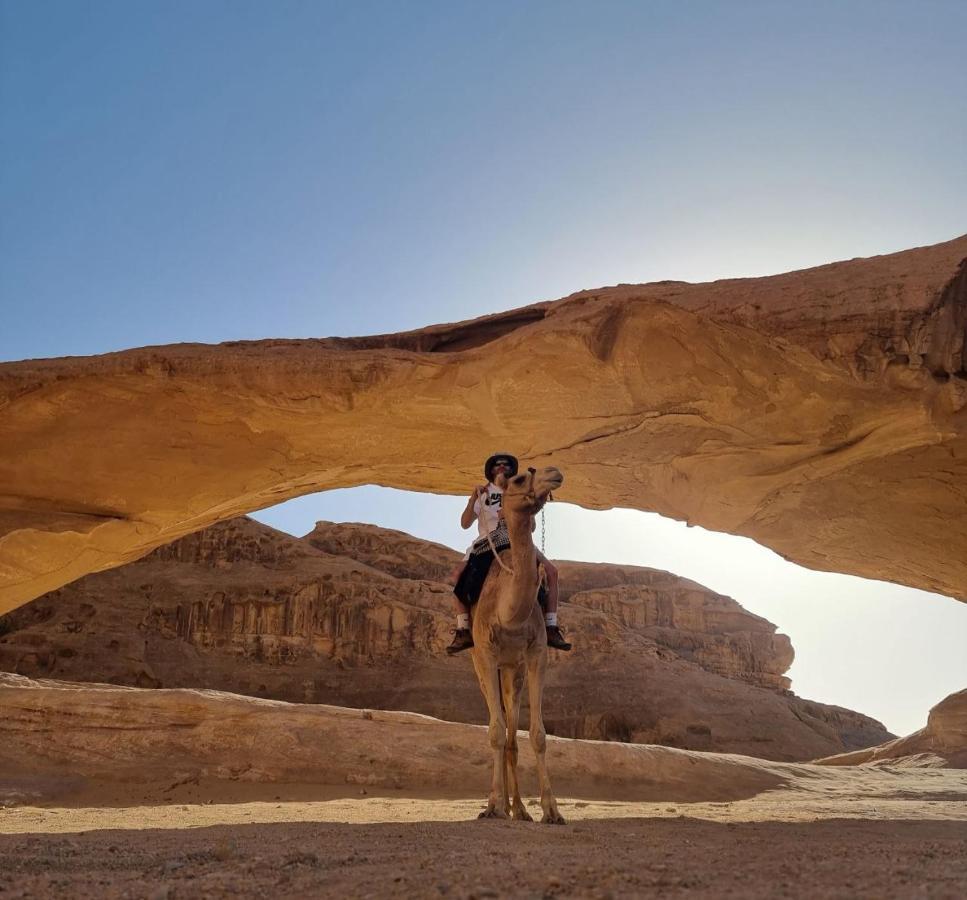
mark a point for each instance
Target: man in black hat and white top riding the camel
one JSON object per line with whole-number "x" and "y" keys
{"x": 484, "y": 507}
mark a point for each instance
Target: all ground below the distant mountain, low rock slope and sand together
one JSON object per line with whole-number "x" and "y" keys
{"x": 117, "y": 792}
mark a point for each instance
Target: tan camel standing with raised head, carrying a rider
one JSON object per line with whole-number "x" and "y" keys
{"x": 510, "y": 639}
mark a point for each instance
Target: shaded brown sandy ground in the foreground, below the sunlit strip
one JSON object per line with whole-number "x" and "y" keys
{"x": 627, "y": 856}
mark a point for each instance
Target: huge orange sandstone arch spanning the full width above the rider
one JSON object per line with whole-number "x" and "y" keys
{"x": 822, "y": 413}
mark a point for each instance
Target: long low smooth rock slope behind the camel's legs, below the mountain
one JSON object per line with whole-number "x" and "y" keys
{"x": 65, "y": 734}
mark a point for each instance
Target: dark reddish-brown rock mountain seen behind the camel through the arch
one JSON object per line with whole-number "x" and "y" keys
{"x": 356, "y": 615}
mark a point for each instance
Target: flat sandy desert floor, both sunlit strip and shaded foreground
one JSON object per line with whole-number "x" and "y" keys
{"x": 910, "y": 840}
